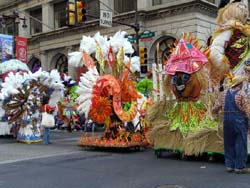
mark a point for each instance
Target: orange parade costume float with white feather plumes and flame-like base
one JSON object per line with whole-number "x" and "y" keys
{"x": 108, "y": 95}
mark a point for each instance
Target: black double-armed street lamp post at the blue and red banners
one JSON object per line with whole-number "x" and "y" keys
{"x": 15, "y": 19}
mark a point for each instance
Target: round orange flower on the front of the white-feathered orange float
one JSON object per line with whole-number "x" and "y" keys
{"x": 100, "y": 109}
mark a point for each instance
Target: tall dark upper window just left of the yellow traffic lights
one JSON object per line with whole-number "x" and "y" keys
{"x": 60, "y": 14}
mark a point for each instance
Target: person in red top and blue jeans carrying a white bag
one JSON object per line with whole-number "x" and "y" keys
{"x": 48, "y": 109}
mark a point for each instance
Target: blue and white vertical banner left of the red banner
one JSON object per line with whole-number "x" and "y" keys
{"x": 6, "y": 47}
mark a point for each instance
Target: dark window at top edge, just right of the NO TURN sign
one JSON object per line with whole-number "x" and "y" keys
{"x": 124, "y": 5}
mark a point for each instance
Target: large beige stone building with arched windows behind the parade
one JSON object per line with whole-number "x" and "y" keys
{"x": 50, "y": 39}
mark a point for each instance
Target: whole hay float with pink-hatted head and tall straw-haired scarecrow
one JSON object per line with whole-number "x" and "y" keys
{"x": 185, "y": 123}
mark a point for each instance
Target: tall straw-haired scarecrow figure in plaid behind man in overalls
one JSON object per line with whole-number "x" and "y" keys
{"x": 229, "y": 50}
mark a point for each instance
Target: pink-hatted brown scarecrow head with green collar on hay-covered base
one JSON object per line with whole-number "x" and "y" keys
{"x": 181, "y": 119}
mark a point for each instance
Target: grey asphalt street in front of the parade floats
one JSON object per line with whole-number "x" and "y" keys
{"x": 63, "y": 164}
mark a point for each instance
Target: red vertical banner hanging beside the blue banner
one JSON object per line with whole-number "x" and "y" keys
{"x": 21, "y": 49}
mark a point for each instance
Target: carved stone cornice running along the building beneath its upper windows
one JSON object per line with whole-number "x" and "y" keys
{"x": 199, "y": 6}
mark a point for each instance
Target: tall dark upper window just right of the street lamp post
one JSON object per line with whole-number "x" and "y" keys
{"x": 36, "y": 21}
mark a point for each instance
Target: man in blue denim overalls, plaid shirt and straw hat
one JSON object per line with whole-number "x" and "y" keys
{"x": 236, "y": 108}
